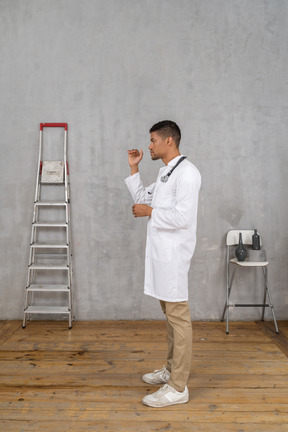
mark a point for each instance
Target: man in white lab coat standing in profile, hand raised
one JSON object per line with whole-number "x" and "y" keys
{"x": 171, "y": 206}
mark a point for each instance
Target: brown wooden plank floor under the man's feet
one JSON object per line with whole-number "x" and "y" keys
{"x": 89, "y": 378}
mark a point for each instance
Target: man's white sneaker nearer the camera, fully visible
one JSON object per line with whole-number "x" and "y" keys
{"x": 166, "y": 396}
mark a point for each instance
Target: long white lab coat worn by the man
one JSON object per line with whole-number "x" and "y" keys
{"x": 171, "y": 230}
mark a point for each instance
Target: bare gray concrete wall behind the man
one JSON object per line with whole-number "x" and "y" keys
{"x": 111, "y": 69}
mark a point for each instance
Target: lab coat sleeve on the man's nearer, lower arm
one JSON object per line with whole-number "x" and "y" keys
{"x": 184, "y": 214}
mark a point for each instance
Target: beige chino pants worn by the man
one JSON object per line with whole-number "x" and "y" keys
{"x": 179, "y": 339}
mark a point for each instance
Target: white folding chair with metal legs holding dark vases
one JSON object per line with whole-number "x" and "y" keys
{"x": 232, "y": 239}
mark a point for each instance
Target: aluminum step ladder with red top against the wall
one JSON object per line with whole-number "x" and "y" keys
{"x": 49, "y": 279}
